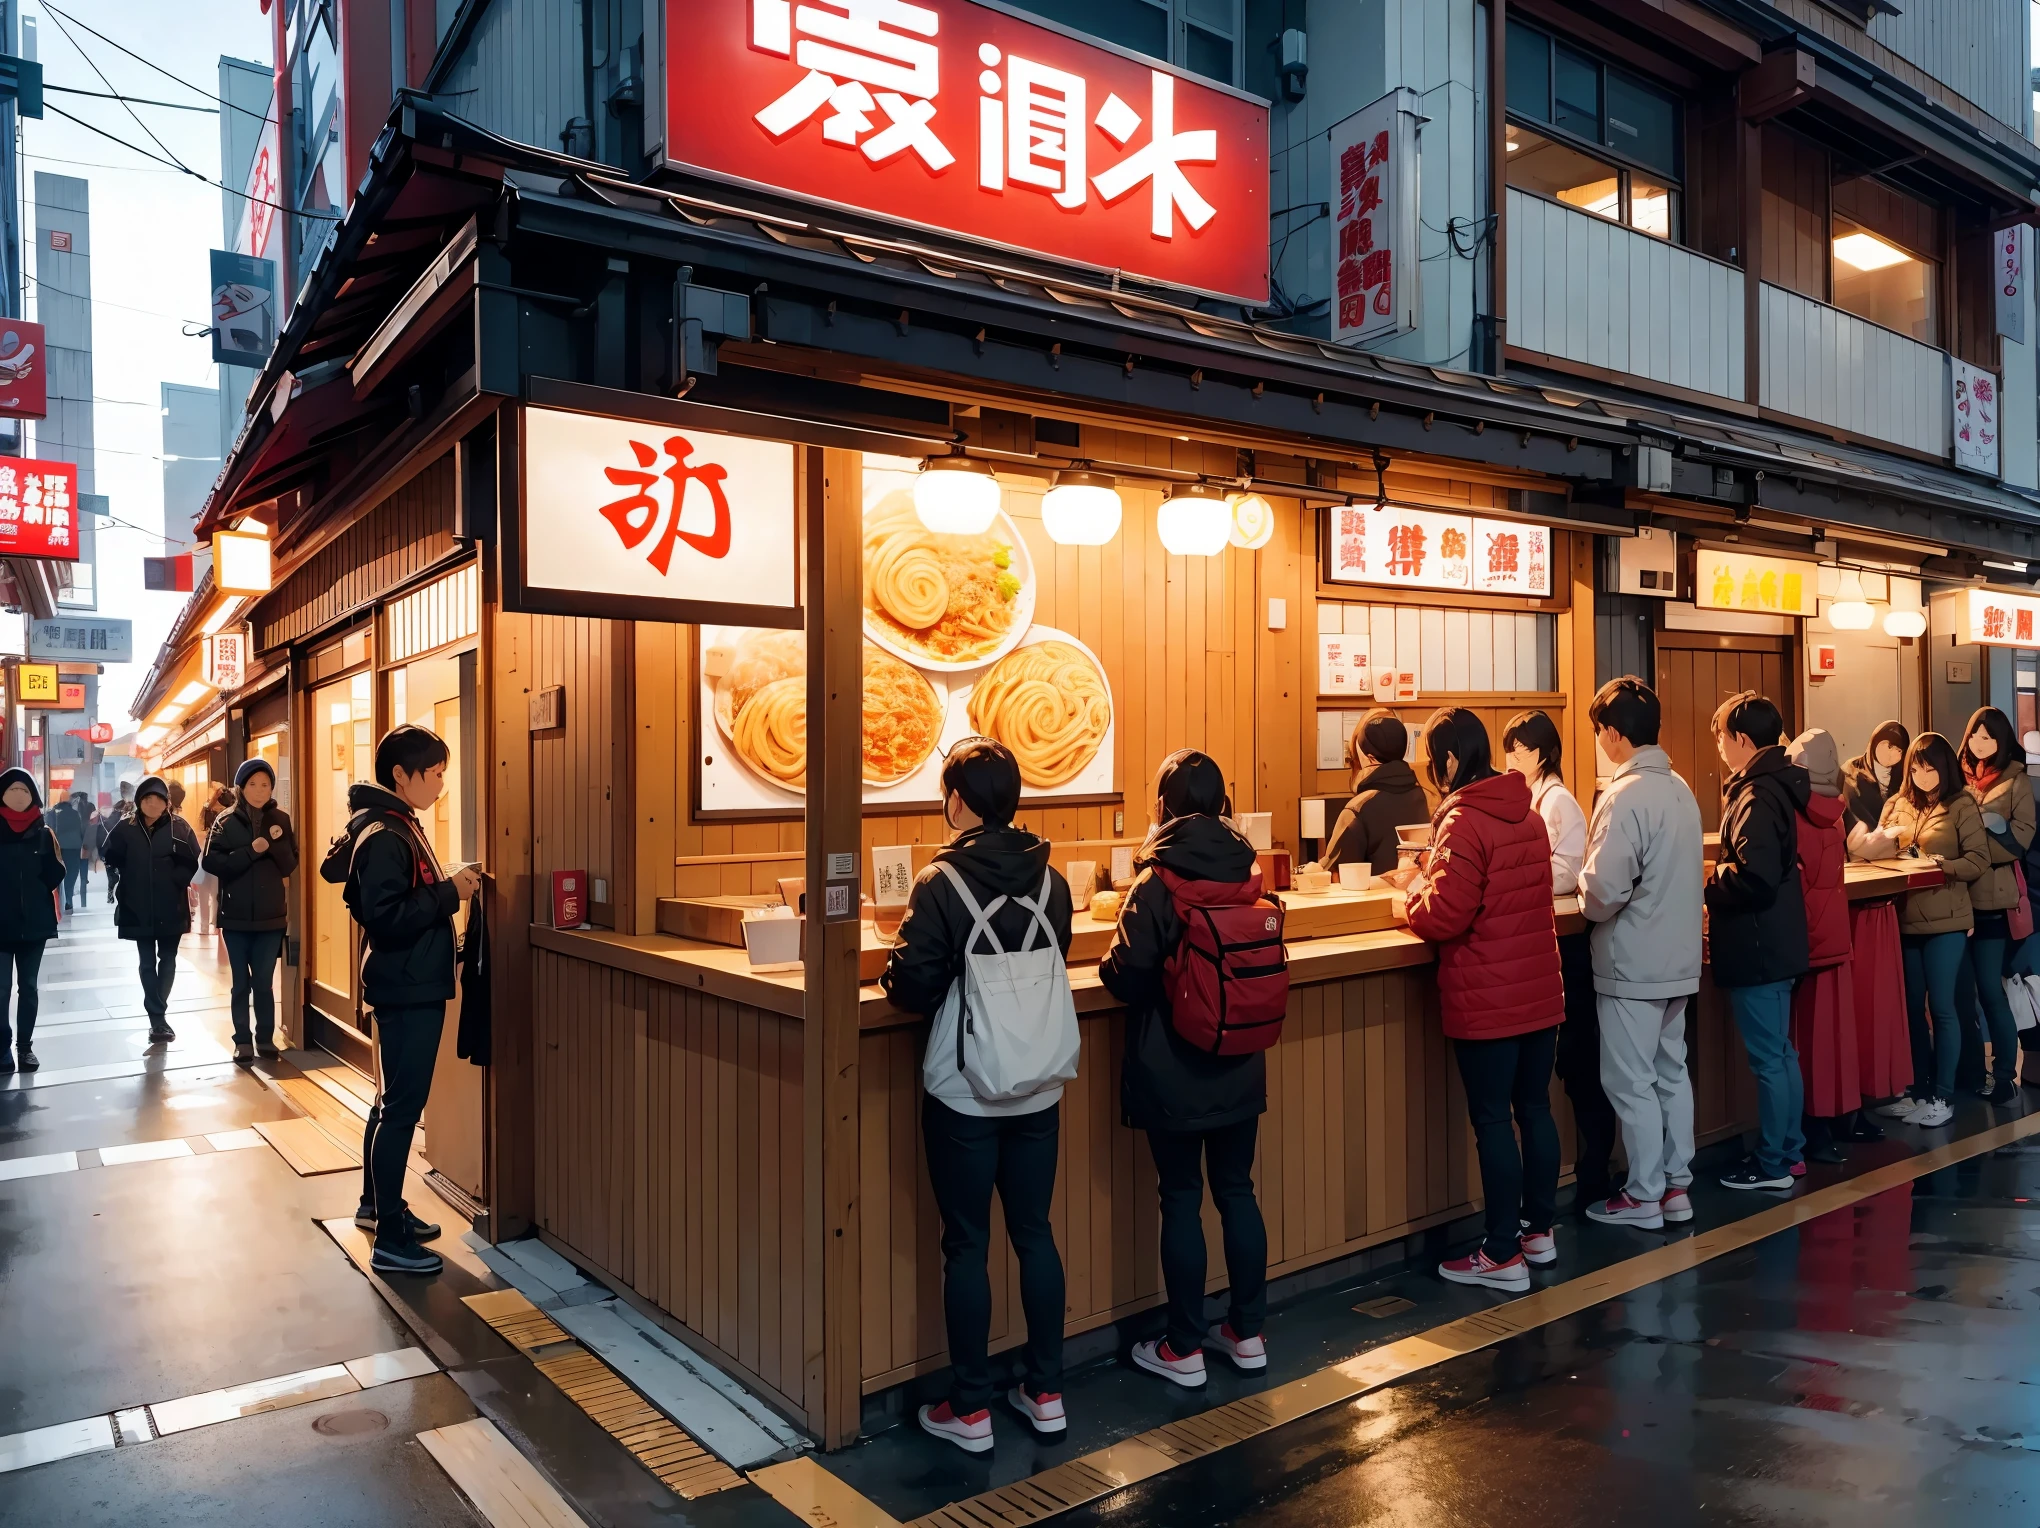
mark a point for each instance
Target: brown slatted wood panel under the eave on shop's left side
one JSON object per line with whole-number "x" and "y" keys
{"x": 399, "y": 540}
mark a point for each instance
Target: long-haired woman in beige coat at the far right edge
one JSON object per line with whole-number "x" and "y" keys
{"x": 1994, "y": 766}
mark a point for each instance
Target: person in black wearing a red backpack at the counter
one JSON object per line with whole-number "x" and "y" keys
{"x": 1201, "y": 966}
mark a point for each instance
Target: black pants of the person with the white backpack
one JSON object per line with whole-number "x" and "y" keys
{"x": 968, "y": 1158}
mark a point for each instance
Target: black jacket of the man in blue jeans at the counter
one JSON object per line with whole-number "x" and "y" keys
{"x": 1755, "y": 907}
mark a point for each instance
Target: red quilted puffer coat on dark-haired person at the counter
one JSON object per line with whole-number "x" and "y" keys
{"x": 1486, "y": 905}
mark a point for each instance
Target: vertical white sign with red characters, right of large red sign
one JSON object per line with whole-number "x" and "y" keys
{"x": 1374, "y": 221}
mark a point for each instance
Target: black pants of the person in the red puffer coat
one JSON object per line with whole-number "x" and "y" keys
{"x": 1521, "y": 1186}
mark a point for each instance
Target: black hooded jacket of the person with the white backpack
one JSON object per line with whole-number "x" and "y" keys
{"x": 997, "y": 862}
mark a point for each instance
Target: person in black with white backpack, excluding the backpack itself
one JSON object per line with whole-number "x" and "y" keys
{"x": 976, "y": 1145}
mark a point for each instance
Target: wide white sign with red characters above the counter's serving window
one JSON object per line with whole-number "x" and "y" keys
{"x": 1425, "y": 550}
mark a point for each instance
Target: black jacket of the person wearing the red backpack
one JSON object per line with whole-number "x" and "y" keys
{"x": 1168, "y": 1084}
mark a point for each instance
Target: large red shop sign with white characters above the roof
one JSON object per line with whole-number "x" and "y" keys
{"x": 958, "y": 117}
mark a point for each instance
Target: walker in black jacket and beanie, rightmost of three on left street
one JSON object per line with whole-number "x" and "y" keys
{"x": 250, "y": 852}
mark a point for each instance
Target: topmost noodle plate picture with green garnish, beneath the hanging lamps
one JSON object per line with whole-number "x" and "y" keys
{"x": 941, "y": 599}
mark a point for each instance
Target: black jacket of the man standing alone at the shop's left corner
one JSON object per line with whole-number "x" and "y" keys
{"x": 401, "y": 897}
